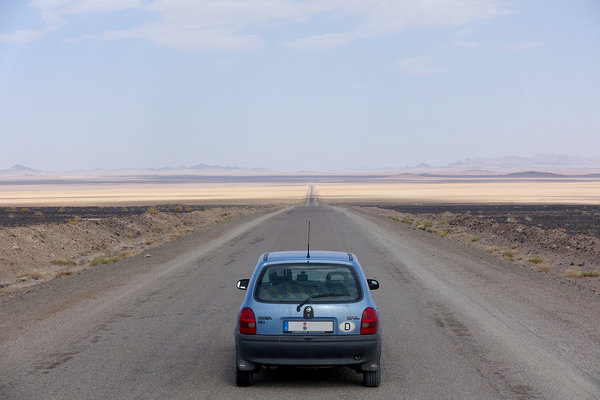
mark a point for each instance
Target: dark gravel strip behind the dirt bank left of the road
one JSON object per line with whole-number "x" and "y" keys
{"x": 27, "y": 216}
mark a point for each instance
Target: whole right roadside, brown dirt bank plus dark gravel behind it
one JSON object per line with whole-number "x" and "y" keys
{"x": 561, "y": 241}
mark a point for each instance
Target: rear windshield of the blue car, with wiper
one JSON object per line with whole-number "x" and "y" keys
{"x": 325, "y": 283}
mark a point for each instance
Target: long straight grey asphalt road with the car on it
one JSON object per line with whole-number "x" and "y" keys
{"x": 457, "y": 323}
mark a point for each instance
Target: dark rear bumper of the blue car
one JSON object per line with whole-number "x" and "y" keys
{"x": 310, "y": 350}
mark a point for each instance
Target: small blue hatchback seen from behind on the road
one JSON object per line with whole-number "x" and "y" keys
{"x": 308, "y": 309}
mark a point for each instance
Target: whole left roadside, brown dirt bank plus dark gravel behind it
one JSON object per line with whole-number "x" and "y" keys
{"x": 40, "y": 244}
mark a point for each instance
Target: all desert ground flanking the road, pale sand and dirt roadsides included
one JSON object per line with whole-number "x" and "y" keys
{"x": 51, "y": 228}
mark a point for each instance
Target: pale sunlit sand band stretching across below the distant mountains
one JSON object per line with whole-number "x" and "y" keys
{"x": 570, "y": 192}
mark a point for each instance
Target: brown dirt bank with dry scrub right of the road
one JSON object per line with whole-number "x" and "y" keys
{"x": 554, "y": 251}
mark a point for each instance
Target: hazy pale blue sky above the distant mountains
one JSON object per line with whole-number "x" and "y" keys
{"x": 295, "y": 84}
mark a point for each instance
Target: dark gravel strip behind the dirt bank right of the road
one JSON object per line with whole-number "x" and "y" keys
{"x": 571, "y": 219}
